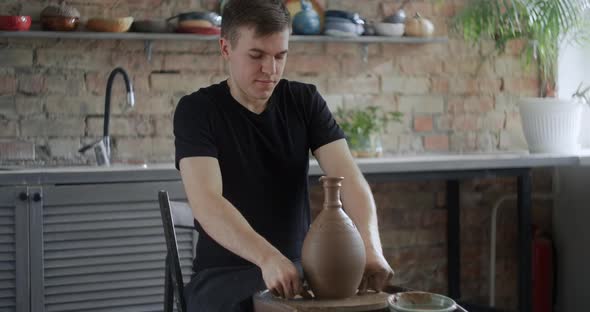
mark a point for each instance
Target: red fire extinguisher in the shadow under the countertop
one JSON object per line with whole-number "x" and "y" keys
{"x": 542, "y": 290}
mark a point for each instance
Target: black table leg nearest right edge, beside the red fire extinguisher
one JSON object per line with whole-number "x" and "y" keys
{"x": 524, "y": 242}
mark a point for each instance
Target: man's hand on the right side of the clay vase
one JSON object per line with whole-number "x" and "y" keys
{"x": 377, "y": 274}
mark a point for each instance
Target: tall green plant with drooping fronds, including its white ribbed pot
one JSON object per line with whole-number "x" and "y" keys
{"x": 544, "y": 25}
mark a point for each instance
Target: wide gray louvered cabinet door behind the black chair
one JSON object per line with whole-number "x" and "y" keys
{"x": 101, "y": 248}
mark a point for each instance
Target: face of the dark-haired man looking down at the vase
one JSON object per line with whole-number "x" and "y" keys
{"x": 256, "y": 63}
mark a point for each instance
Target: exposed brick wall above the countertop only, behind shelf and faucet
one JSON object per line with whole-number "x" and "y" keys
{"x": 52, "y": 91}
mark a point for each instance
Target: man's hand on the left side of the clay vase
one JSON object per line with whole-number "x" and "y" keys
{"x": 281, "y": 277}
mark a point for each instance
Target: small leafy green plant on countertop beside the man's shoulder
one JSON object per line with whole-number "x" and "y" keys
{"x": 359, "y": 124}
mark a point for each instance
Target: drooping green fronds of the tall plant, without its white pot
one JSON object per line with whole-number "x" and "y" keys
{"x": 543, "y": 24}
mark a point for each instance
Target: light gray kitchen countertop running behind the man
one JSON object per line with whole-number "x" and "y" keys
{"x": 388, "y": 164}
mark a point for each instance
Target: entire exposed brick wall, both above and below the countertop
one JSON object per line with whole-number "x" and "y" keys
{"x": 453, "y": 98}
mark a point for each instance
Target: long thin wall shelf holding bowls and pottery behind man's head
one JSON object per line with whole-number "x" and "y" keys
{"x": 175, "y": 36}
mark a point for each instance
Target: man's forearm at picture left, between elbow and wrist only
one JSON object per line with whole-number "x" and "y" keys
{"x": 226, "y": 225}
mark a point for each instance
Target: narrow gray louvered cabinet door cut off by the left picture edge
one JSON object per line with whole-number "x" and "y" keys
{"x": 14, "y": 249}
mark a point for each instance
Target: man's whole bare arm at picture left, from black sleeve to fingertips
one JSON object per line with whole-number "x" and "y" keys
{"x": 202, "y": 181}
